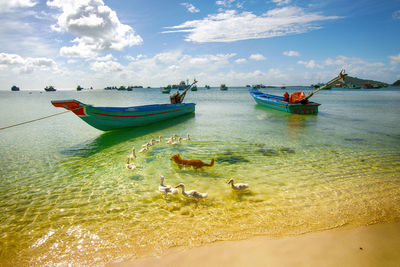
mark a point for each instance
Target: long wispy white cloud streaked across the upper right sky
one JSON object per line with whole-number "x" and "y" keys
{"x": 231, "y": 26}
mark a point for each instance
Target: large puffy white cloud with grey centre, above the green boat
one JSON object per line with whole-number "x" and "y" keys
{"x": 96, "y": 26}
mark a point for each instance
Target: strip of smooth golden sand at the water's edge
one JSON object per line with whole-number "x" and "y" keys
{"x": 372, "y": 245}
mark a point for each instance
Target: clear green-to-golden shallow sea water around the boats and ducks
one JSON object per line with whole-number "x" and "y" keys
{"x": 66, "y": 197}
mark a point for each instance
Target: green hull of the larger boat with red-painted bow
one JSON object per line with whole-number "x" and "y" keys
{"x": 113, "y": 118}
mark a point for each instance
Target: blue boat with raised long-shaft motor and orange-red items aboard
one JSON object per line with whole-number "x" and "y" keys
{"x": 298, "y": 105}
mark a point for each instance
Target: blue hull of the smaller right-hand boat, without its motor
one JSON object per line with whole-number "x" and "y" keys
{"x": 277, "y": 102}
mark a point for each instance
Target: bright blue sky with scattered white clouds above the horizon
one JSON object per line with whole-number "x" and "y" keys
{"x": 99, "y": 43}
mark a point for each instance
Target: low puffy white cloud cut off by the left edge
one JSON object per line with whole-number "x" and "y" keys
{"x": 19, "y": 64}
